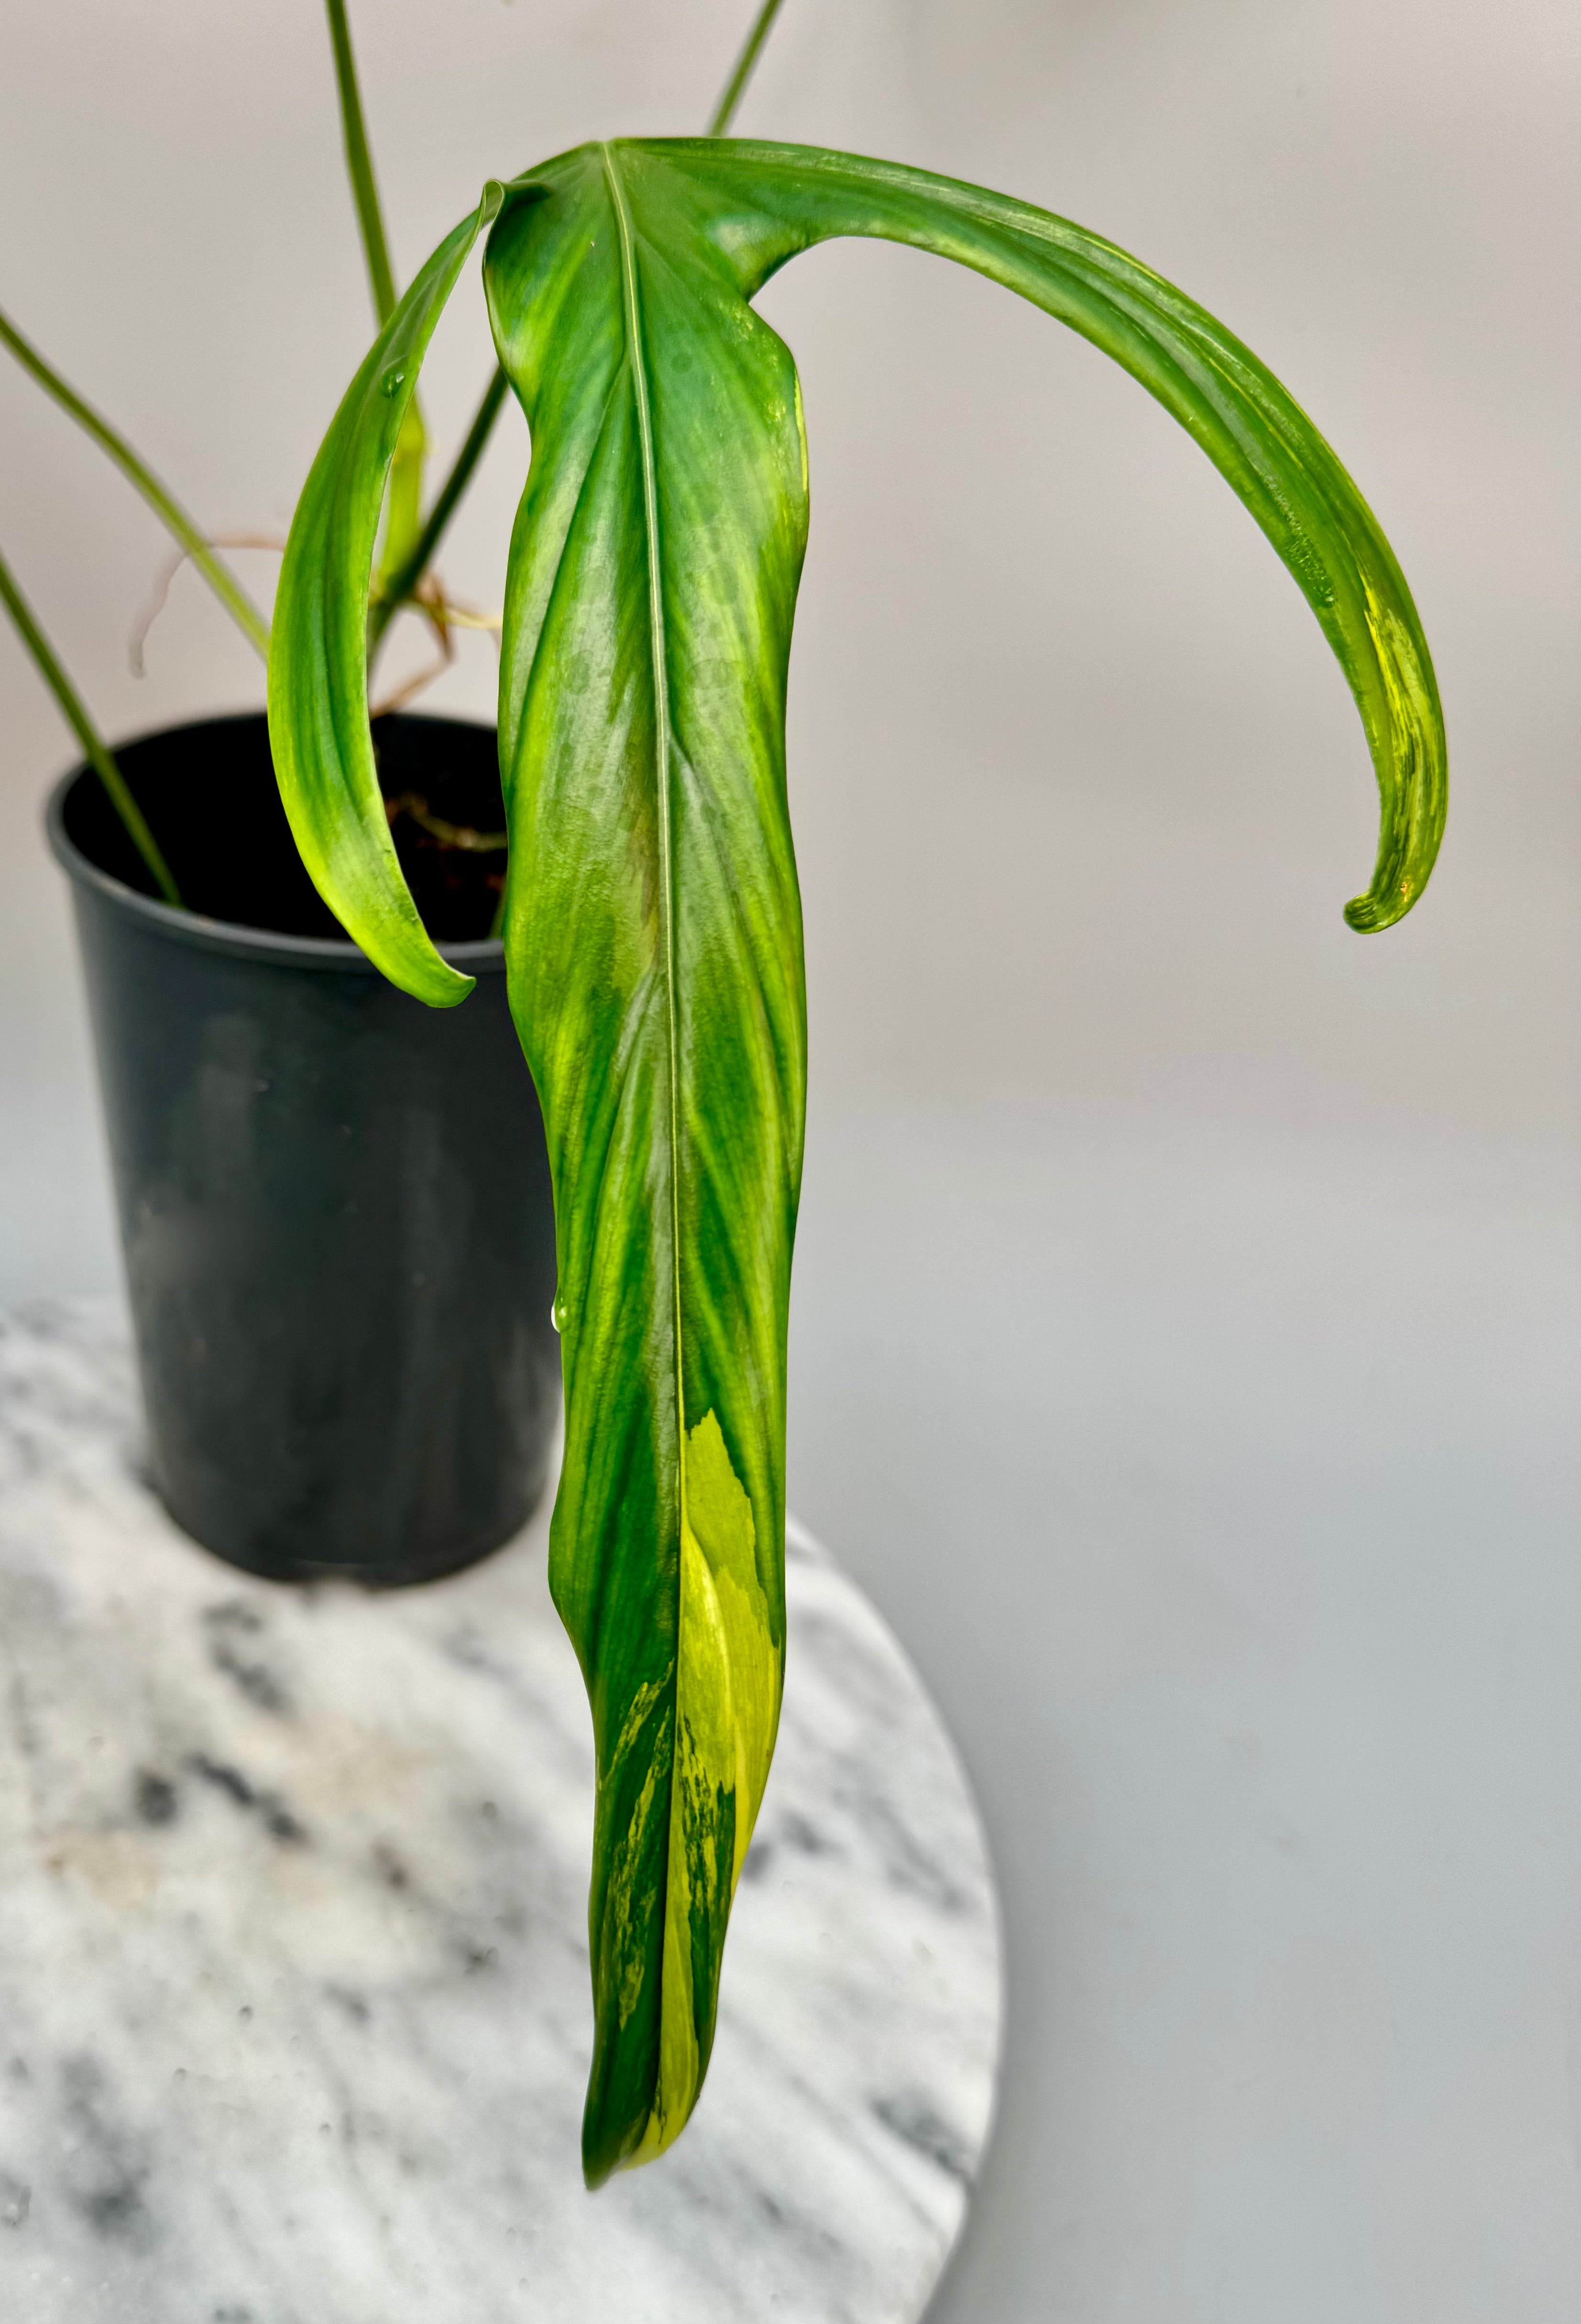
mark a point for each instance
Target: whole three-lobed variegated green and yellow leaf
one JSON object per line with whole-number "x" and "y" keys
{"x": 652, "y": 921}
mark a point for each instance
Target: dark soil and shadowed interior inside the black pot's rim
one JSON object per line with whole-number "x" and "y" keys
{"x": 210, "y": 798}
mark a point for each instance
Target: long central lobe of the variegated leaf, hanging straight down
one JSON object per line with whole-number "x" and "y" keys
{"x": 657, "y": 977}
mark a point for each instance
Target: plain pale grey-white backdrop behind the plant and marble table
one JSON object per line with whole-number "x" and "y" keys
{"x": 1187, "y": 1296}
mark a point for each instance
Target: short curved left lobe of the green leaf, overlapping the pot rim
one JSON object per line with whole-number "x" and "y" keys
{"x": 320, "y": 736}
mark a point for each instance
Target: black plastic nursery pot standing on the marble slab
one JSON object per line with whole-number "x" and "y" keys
{"x": 334, "y": 1200}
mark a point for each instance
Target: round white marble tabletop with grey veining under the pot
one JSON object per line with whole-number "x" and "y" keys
{"x": 294, "y": 1993}
